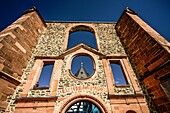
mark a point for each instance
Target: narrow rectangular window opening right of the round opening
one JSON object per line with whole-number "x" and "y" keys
{"x": 118, "y": 74}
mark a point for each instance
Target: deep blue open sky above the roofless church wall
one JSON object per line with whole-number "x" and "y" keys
{"x": 155, "y": 12}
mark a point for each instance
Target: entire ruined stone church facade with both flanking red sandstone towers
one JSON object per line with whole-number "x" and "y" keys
{"x": 30, "y": 45}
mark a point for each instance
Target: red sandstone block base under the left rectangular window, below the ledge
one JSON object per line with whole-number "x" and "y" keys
{"x": 36, "y": 105}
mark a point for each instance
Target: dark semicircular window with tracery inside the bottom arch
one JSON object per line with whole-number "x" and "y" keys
{"x": 83, "y": 107}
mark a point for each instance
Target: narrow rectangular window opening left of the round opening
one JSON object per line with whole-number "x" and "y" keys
{"x": 45, "y": 75}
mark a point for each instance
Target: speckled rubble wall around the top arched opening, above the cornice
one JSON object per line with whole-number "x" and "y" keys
{"x": 52, "y": 42}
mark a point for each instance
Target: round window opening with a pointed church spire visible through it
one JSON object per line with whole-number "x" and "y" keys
{"x": 82, "y": 67}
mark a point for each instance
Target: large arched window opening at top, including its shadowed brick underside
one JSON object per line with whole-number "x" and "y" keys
{"x": 81, "y": 34}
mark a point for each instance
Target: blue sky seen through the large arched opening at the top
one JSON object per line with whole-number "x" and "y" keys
{"x": 85, "y": 37}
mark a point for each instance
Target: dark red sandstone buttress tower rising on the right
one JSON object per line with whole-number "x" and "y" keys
{"x": 149, "y": 53}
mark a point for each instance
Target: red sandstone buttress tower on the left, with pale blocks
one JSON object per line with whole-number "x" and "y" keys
{"x": 16, "y": 43}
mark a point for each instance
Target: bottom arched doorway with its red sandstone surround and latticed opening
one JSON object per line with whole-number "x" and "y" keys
{"x": 83, "y": 103}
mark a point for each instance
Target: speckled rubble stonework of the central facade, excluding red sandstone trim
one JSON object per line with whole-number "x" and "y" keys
{"x": 52, "y": 43}
